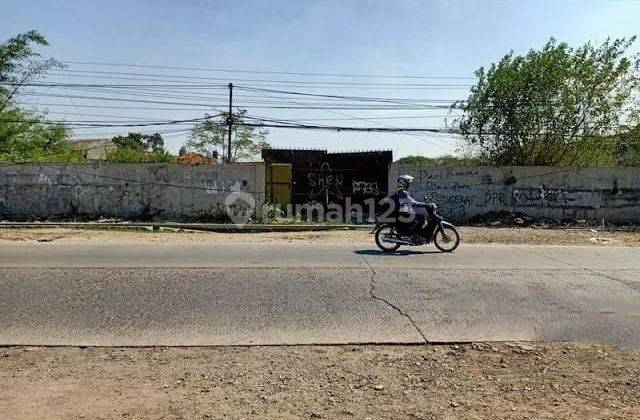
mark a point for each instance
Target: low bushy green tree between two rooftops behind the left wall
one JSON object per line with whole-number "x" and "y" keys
{"x": 139, "y": 148}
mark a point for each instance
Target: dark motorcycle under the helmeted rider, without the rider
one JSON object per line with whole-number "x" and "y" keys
{"x": 416, "y": 231}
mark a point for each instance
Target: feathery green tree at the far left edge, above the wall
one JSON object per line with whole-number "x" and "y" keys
{"x": 24, "y": 136}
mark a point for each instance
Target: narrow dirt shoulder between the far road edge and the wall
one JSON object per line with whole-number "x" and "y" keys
{"x": 473, "y": 235}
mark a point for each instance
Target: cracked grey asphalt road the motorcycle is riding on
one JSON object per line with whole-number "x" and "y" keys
{"x": 295, "y": 293}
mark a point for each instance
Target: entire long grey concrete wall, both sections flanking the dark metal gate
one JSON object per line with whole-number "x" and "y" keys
{"x": 180, "y": 192}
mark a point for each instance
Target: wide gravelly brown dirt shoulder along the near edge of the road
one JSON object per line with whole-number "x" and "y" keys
{"x": 468, "y": 381}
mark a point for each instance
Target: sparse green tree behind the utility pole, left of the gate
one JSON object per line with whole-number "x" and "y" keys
{"x": 210, "y": 137}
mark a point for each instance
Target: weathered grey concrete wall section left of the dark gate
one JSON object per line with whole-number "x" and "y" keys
{"x": 129, "y": 191}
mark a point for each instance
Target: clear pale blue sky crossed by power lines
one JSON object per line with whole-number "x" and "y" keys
{"x": 400, "y": 37}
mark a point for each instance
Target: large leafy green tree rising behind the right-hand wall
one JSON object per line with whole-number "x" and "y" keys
{"x": 548, "y": 106}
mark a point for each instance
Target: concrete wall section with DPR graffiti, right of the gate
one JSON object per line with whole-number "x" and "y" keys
{"x": 541, "y": 192}
